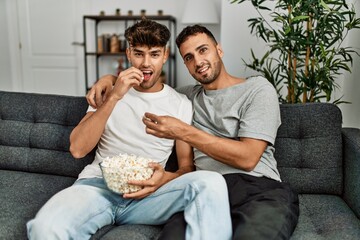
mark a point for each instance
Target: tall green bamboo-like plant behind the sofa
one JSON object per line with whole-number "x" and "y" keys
{"x": 306, "y": 46}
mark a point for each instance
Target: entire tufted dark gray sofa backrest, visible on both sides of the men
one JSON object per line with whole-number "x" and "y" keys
{"x": 35, "y": 129}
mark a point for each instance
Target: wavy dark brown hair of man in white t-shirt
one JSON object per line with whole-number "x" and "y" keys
{"x": 147, "y": 32}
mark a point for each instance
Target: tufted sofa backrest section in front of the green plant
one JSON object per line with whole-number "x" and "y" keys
{"x": 308, "y": 147}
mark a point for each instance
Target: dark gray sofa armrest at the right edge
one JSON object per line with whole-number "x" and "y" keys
{"x": 351, "y": 143}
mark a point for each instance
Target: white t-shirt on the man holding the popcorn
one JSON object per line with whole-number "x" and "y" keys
{"x": 125, "y": 132}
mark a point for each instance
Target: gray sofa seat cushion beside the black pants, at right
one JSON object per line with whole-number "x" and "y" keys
{"x": 325, "y": 217}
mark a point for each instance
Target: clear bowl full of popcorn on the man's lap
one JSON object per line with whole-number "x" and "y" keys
{"x": 118, "y": 170}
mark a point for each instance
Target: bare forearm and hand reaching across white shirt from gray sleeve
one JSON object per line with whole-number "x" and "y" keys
{"x": 244, "y": 153}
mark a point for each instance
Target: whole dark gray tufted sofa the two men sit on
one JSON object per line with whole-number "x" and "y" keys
{"x": 319, "y": 158}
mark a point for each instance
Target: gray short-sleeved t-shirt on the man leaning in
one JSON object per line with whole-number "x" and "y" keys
{"x": 249, "y": 109}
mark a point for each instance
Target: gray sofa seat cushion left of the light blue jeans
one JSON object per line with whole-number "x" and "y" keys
{"x": 22, "y": 195}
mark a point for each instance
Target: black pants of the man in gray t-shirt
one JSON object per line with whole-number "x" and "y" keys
{"x": 261, "y": 208}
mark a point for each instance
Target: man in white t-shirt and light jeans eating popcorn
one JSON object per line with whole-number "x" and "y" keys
{"x": 116, "y": 127}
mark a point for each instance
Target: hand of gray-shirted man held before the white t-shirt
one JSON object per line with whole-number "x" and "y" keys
{"x": 164, "y": 126}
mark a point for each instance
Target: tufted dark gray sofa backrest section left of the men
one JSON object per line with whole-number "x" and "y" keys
{"x": 34, "y": 133}
